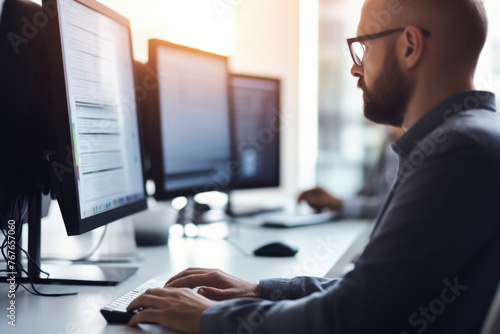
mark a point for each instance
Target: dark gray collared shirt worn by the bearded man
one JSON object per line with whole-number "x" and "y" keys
{"x": 432, "y": 262}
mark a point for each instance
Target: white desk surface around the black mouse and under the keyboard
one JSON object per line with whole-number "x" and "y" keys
{"x": 321, "y": 249}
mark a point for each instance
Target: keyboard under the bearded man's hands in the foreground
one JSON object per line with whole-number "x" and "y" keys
{"x": 116, "y": 311}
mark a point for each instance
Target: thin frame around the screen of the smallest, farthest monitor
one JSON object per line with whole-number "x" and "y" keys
{"x": 276, "y": 182}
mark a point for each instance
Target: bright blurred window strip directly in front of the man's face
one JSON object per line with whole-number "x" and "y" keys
{"x": 348, "y": 144}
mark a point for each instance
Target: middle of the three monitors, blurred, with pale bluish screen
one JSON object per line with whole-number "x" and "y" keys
{"x": 193, "y": 142}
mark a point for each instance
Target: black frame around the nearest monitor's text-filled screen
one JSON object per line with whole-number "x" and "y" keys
{"x": 64, "y": 180}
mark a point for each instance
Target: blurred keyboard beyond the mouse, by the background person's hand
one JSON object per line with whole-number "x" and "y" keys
{"x": 299, "y": 219}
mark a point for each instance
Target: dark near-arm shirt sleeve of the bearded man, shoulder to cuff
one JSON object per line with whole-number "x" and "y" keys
{"x": 388, "y": 284}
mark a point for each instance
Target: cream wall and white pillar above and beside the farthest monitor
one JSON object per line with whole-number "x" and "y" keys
{"x": 279, "y": 38}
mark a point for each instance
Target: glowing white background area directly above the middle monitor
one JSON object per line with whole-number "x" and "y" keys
{"x": 196, "y": 23}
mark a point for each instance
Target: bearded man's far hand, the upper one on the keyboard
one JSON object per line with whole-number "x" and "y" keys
{"x": 214, "y": 284}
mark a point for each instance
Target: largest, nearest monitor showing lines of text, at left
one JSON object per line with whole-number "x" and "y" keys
{"x": 99, "y": 163}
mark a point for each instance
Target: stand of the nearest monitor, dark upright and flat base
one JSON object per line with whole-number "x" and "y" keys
{"x": 73, "y": 274}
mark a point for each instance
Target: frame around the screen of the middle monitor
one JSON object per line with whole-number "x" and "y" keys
{"x": 152, "y": 120}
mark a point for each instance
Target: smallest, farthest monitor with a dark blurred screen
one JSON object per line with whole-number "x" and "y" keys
{"x": 256, "y": 104}
